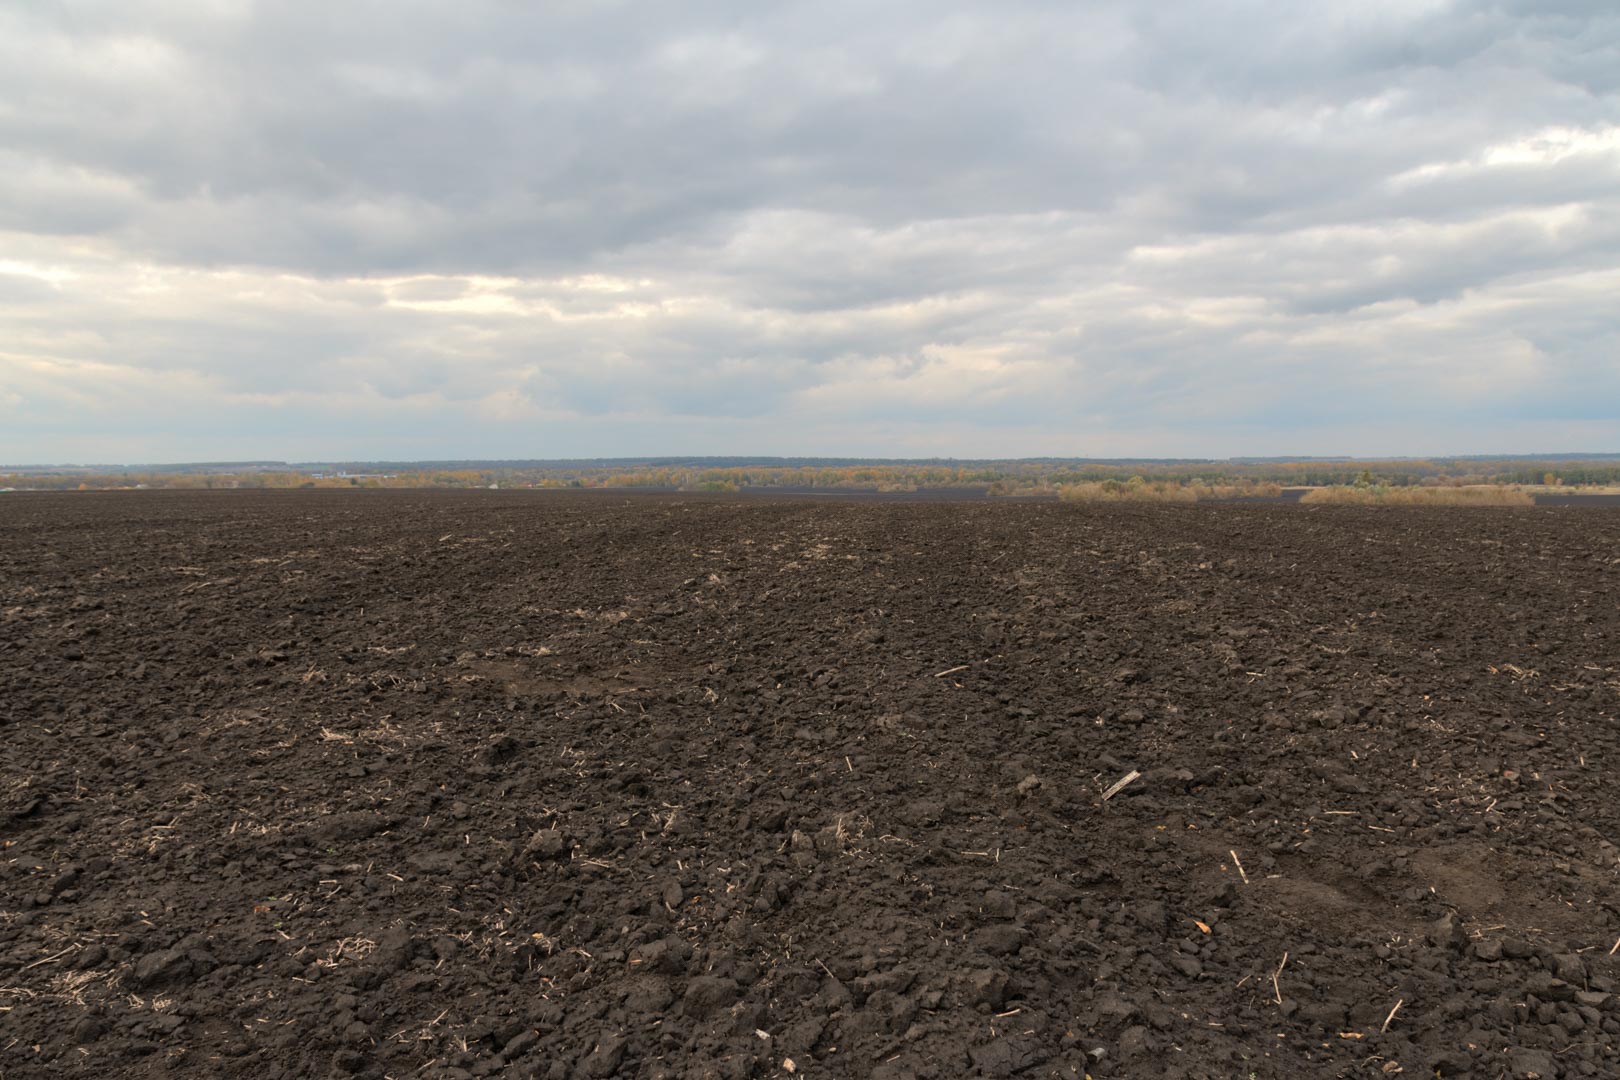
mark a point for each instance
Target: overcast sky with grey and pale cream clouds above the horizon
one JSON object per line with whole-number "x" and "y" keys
{"x": 492, "y": 229}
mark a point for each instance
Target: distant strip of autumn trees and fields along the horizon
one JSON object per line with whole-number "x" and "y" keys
{"x": 722, "y": 475}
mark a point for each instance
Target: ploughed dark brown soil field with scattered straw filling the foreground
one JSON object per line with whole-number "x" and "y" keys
{"x": 542, "y": 786}
